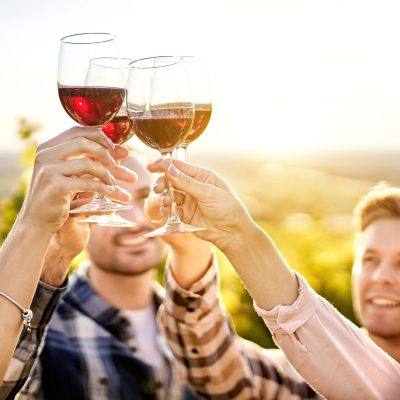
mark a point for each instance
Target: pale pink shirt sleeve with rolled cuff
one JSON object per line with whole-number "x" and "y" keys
{"x": 331, "y": 353}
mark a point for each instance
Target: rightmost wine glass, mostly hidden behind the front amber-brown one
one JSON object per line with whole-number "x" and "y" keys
{"x": 196, "y": 69}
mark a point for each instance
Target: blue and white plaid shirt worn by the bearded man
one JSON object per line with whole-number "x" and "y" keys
{"x": 89, "y": 353}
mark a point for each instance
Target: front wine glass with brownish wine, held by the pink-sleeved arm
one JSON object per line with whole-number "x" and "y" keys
{"x": 161, "y": 112}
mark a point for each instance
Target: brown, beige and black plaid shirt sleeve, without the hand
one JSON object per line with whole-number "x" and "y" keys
{"x": 216, "y": 362}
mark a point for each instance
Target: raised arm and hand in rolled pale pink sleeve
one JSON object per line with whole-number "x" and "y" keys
{"x": 333, "y": 355}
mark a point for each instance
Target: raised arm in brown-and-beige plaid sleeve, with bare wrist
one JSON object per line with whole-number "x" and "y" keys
{"x": 209, "y": 355}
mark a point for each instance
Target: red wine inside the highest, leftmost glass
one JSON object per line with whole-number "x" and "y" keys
{"x": 91, "y": 106}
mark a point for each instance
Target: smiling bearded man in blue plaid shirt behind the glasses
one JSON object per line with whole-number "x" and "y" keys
{"x": 103, "y": 341}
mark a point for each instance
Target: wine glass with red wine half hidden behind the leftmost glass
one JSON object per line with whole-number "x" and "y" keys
{"x": 118, "y": 129}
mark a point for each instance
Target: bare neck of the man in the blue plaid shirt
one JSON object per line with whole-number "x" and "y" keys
{"x": 122, "y": 291}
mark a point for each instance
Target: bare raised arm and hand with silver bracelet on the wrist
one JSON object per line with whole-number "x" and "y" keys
{"x": 56, "y": 178}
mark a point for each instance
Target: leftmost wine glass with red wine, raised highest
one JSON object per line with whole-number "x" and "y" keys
{"x": 90, "y": 103}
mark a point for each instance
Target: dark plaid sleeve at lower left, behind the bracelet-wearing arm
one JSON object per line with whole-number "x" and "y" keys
{"x": 43, "y": 304}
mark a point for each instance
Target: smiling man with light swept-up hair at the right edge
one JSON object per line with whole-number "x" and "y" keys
{"x": 376, "y": 272}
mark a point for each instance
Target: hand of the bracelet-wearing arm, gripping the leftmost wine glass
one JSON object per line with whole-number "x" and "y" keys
{"x": 60, "y": 173}
